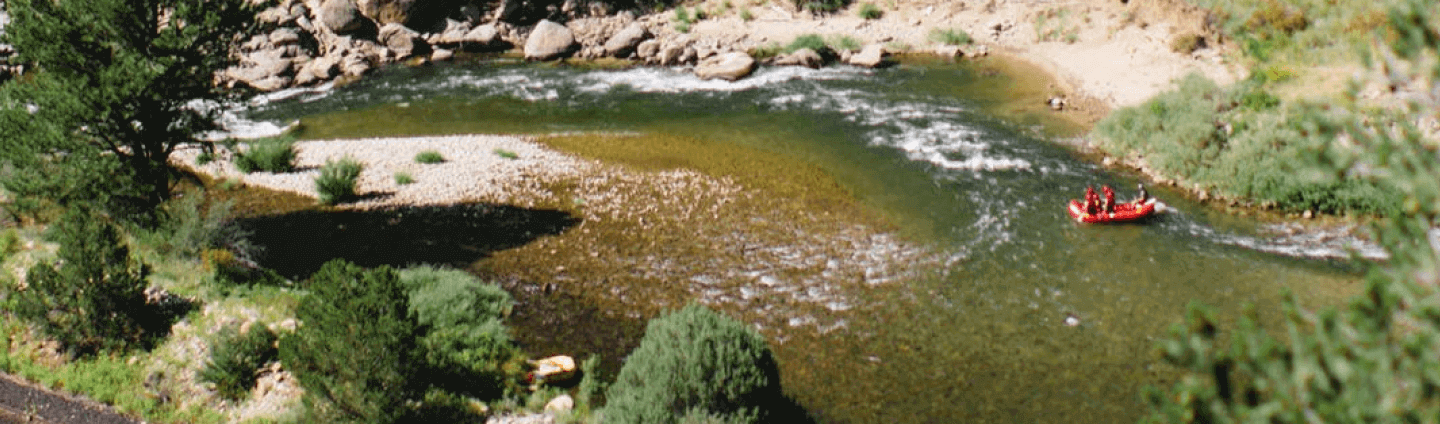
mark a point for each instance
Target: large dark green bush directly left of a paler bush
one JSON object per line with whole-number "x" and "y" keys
{"x": 354, "y": 351}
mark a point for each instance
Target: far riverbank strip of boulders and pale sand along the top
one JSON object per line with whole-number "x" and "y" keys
{"x": 1104, "y": 54}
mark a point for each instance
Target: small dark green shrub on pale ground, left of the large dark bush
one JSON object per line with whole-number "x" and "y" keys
{"x": 235, "y": 358}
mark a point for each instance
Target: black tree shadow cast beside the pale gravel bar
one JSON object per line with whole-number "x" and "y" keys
{"x": 297, "y": 244}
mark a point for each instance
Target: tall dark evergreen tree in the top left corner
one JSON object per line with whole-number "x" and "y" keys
{"x": 113, "y": 96}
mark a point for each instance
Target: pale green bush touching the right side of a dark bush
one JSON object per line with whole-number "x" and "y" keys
{"x": 464, "y": 343}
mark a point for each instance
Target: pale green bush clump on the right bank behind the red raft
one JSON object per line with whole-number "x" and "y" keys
{"x": 1238, "y": 143}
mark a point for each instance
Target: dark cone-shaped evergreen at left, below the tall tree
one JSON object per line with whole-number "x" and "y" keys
{"x": 96, "y": 299}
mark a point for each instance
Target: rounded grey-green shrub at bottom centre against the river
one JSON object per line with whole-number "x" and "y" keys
{"x": 696, "y": 363}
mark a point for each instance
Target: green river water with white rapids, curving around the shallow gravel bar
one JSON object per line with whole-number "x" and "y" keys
{"x": 960, "y": 158}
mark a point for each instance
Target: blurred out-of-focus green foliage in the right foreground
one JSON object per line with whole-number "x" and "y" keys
{"x": 1379, "y": 358}
